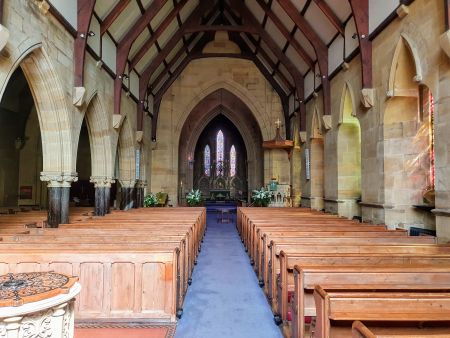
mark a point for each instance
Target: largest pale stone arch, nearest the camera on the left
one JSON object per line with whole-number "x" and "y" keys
{"x": 53, "y": 112}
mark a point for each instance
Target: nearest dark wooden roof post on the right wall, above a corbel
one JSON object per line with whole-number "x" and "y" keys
{"x": 360, "y": 10}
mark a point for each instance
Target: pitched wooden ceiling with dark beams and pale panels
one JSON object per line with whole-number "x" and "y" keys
{"x": 285, "y": 39}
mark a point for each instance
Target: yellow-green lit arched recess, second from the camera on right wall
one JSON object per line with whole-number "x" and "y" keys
{"x": 349, "y": 156}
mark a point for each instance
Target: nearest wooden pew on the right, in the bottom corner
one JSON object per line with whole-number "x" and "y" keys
{"x": 340, "y": 306}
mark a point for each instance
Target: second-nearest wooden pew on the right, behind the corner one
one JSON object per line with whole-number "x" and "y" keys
{"x": 374, "y": 277}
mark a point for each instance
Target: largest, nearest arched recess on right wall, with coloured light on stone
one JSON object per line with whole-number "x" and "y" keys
{"x": 406, "y": 141}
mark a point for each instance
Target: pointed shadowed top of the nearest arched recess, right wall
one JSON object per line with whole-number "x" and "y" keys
{"x": 406, "y": 58}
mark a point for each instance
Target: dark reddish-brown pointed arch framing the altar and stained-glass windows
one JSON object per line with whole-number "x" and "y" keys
{"x": 220, "y": 102}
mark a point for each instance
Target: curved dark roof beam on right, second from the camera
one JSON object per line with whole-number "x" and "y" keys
{"x": 319, "y": 47}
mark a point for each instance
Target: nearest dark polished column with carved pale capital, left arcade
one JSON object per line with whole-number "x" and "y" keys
{"x": 58, "y": 196}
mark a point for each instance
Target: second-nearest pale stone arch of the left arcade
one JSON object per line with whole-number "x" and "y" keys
{"x": 98, "y": 126}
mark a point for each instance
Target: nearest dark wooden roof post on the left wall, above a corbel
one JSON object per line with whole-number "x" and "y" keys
{"x": 85, "y": 9}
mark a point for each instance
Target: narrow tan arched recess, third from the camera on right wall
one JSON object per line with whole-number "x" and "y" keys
{"x": 316, "y": 181}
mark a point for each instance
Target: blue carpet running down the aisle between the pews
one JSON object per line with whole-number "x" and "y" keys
{"x": 224, "y": 300}
